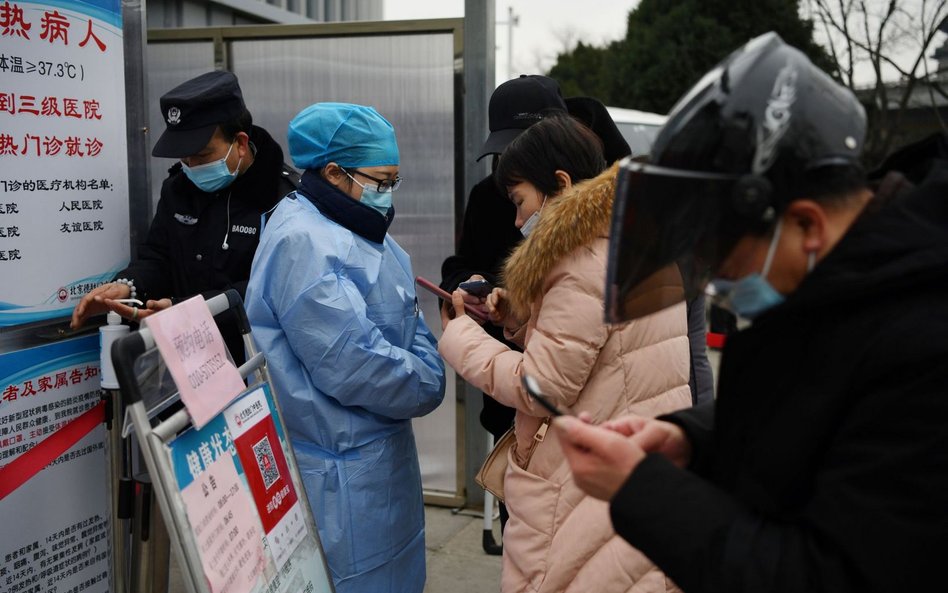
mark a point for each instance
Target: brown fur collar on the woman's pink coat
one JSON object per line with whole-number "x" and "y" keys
{"x": 572, "y": 220}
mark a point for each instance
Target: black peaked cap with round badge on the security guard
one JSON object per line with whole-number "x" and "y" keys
{"x": 194, "y": 109}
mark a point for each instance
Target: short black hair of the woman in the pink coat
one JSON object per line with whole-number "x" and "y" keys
{"x": 557, "y": 142}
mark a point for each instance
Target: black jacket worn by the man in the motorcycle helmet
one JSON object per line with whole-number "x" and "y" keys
{"x": 824, "y": 466}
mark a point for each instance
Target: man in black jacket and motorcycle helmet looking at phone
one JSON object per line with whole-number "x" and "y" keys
{"x": 823, "y": 464}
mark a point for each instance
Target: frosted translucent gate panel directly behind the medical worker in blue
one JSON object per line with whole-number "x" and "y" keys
{"x": 410, "y": 80}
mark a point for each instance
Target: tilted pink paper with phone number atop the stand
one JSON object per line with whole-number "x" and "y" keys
{"x": 192, "y": 347}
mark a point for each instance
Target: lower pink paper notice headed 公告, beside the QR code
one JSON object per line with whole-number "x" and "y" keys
{"x": 224, "y": 526}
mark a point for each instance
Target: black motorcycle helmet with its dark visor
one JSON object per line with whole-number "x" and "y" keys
{"x": 756, "y": 132}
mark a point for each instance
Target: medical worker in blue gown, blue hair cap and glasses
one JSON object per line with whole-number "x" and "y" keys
{"x": 332, "y": 302}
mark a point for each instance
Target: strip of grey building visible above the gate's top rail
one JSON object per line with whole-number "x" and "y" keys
{"x": 170, "y": 14}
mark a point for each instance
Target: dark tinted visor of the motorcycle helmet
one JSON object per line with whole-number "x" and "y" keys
{"x": 666, "y": 238}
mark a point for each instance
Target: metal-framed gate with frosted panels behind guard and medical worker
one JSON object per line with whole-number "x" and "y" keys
{"x": 411, "y": 72}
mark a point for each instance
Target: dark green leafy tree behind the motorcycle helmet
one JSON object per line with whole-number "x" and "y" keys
{"x": 670, "y": 44}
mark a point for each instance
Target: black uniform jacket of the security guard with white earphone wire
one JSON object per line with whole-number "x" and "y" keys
{"x": 183, "y": 254}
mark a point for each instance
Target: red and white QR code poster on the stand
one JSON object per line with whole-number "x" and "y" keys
{"x": 261, "y": 454}
